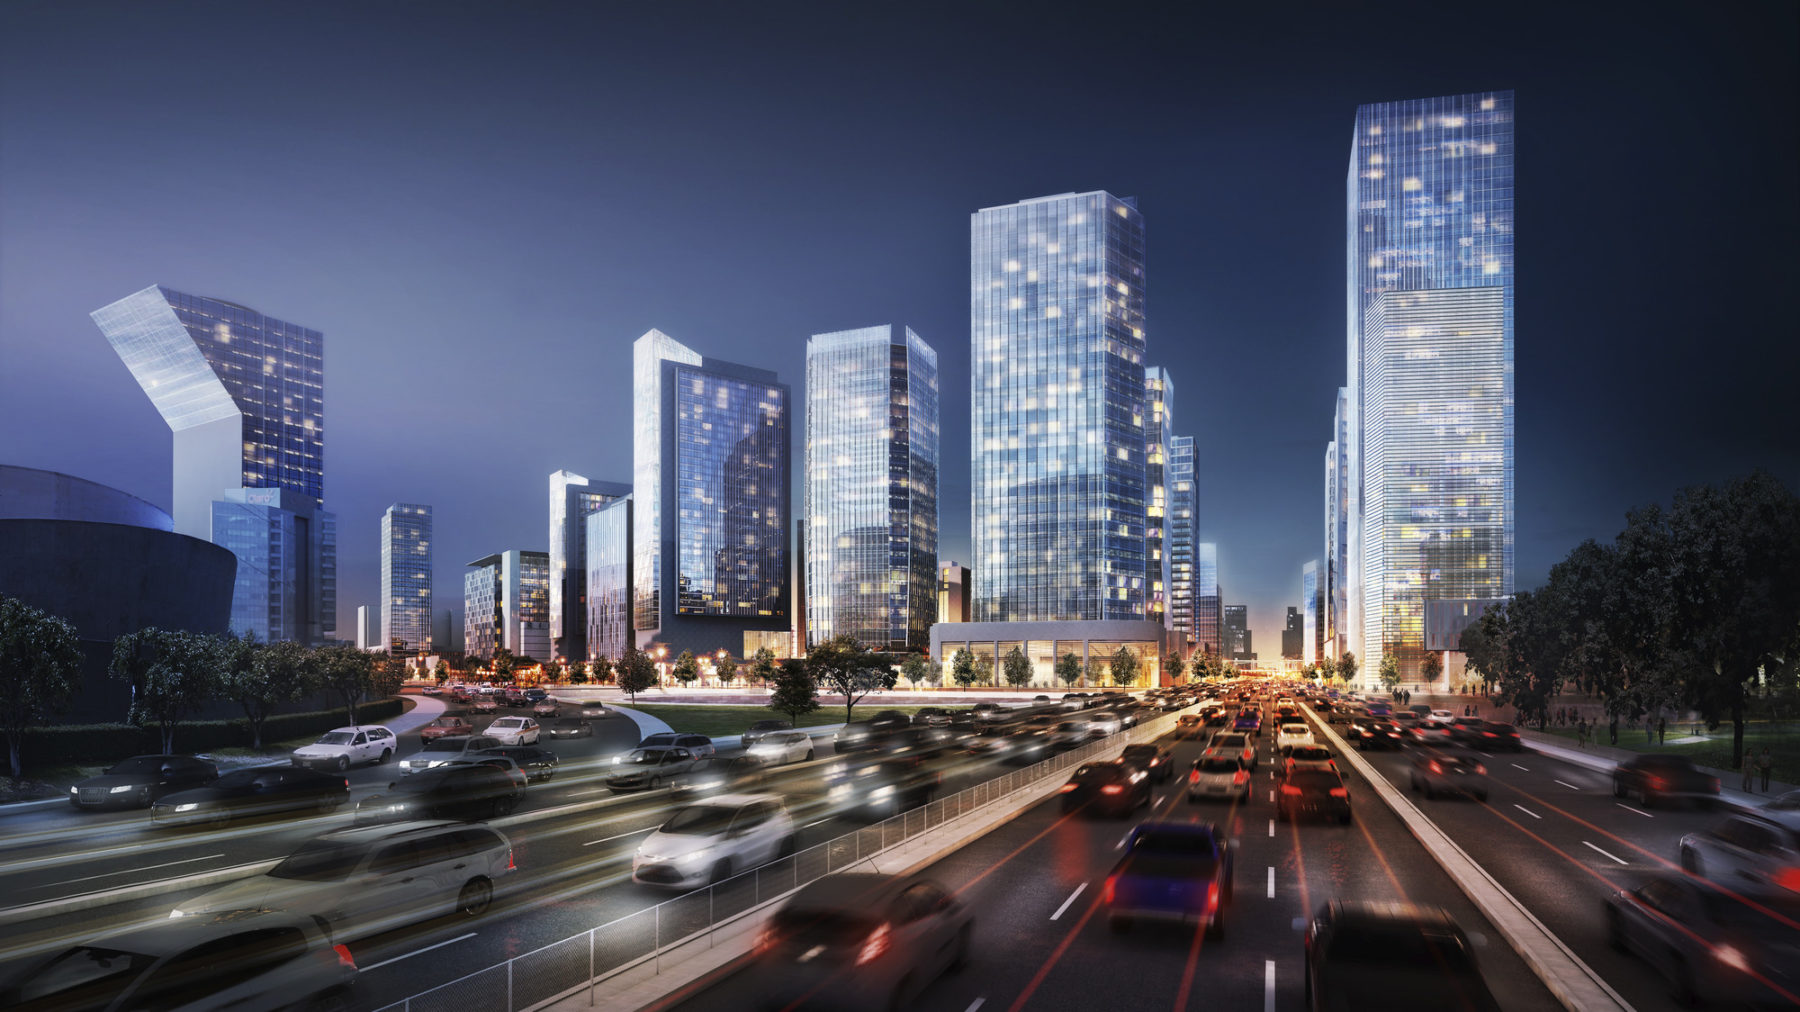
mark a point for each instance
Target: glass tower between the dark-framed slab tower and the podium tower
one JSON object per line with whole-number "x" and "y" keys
{"x": 872, "y": 487}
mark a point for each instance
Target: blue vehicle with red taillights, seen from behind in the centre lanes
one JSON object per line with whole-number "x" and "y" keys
{"x": 1176, "y": 872}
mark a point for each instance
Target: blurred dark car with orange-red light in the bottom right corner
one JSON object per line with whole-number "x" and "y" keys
{"x": 1711, "y": 944}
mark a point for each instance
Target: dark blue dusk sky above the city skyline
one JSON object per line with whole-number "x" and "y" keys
{"x": 481, "y": 208}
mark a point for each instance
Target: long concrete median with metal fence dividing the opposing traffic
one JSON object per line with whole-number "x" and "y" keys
{"x": 562, "y": 970}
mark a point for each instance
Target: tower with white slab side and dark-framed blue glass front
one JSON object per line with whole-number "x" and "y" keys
{"x": 710, "y": 525}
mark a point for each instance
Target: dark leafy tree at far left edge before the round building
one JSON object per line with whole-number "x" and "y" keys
{"x": 40, "y": 671}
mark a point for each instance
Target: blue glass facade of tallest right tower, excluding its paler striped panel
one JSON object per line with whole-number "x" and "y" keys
{"x": 1430, "y": 206}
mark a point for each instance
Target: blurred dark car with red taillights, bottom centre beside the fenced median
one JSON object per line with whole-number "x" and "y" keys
{"x": 861, "y": 941}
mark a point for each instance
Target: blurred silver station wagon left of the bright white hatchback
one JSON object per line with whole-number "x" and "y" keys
{"x": 364, "y": 881}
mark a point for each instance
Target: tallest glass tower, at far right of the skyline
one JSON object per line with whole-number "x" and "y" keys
{"x": 1430, "y": 215}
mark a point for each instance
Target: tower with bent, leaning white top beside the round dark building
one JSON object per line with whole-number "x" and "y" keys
{"x": 244, "y": 397}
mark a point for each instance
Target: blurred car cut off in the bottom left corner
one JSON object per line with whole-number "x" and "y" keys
{"x": 202, "y": 964}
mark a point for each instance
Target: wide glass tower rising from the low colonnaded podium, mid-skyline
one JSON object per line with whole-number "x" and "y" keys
{"x": 1057, "y": 345}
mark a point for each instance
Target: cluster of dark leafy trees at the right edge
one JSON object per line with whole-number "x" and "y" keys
{"x": 1696, "y": 606}
